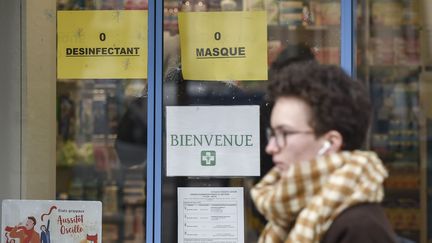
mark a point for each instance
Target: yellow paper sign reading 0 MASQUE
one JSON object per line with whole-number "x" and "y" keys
{"x": 223, "y": 45}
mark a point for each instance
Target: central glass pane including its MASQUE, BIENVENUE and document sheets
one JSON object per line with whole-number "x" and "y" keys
{"x": 215, "y": 66}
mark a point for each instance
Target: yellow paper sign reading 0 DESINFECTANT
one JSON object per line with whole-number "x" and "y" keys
{"x": 102, "y": 44}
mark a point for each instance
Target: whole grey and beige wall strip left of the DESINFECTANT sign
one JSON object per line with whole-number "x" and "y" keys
{"x": 27, "y": 99}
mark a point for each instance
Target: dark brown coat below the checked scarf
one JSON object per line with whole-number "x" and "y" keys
{"x": 363, "y": 223}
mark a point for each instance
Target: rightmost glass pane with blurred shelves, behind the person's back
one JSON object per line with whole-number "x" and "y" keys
{"x": 390, "y": 61}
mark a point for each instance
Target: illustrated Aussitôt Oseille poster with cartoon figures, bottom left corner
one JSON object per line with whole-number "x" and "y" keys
{"x": 51, "y": 221}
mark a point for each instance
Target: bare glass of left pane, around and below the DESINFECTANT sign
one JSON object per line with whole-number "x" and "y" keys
{"x": 102, "y": 141}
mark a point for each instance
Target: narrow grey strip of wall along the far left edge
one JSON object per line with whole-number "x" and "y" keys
{"x": 10, "y": 99}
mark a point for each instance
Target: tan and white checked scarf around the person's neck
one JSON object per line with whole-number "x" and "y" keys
{"x": 301, "y": 203}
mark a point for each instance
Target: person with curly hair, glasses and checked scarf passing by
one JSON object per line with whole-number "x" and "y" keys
{"x": 322, "y": 187}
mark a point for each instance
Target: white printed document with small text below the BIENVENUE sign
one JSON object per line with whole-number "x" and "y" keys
{"x": 210, "y": 215}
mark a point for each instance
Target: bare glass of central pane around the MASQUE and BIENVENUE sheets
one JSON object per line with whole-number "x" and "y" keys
{"x": 295, "y": 30}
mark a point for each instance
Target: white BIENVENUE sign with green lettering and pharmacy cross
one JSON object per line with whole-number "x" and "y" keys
{"x": 212, "y": 141}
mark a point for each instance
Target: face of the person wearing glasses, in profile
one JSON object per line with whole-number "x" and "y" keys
{"x": 290, "y": 122}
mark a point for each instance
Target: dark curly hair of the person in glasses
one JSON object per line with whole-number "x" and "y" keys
{"x": 337, "y": 101}
